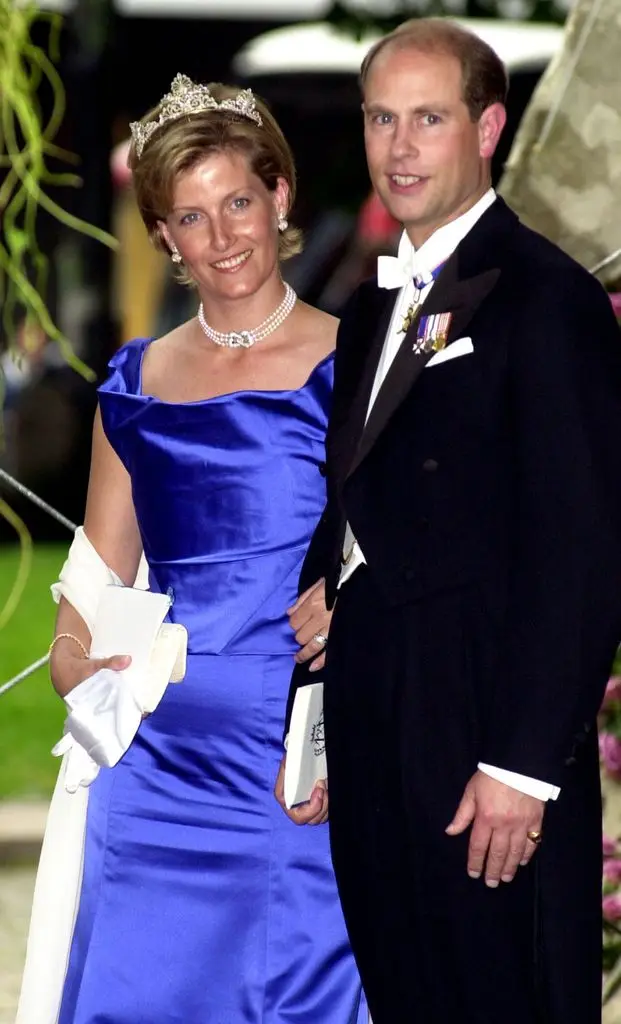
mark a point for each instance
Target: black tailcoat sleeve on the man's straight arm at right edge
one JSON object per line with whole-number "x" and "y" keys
{"x": 564, "y": 619}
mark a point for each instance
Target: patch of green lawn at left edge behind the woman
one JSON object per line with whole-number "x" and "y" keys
{"x": 31, "y": 715}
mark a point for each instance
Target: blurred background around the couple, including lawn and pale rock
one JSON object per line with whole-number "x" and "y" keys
{"x": 115, "y": 60}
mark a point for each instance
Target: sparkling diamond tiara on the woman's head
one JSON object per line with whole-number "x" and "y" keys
{"x": 187, "y": 97}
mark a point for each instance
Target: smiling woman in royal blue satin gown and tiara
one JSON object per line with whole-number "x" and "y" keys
{"x": 201, "y": 903}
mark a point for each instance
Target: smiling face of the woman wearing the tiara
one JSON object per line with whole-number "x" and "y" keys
{"x": 225, "y": 224}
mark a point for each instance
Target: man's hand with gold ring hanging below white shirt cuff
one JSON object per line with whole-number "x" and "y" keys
{"x": 502, "y": 818}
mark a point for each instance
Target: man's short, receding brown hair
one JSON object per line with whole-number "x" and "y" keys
{"x": 484, "y": 76}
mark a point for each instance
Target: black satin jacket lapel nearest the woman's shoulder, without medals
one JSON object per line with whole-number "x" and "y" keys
{"x": 371, "y": 330}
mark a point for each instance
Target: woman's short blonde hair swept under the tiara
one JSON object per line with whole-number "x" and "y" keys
{"x": 182, "y": 144}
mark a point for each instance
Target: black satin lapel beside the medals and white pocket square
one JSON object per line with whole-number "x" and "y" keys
{"x": 450, "y": 294}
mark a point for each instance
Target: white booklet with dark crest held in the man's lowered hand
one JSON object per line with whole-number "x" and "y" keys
{"x": 306, "y": 745}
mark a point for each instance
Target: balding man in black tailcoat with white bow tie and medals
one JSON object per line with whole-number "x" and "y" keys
{"x": 473, "y": 531}
